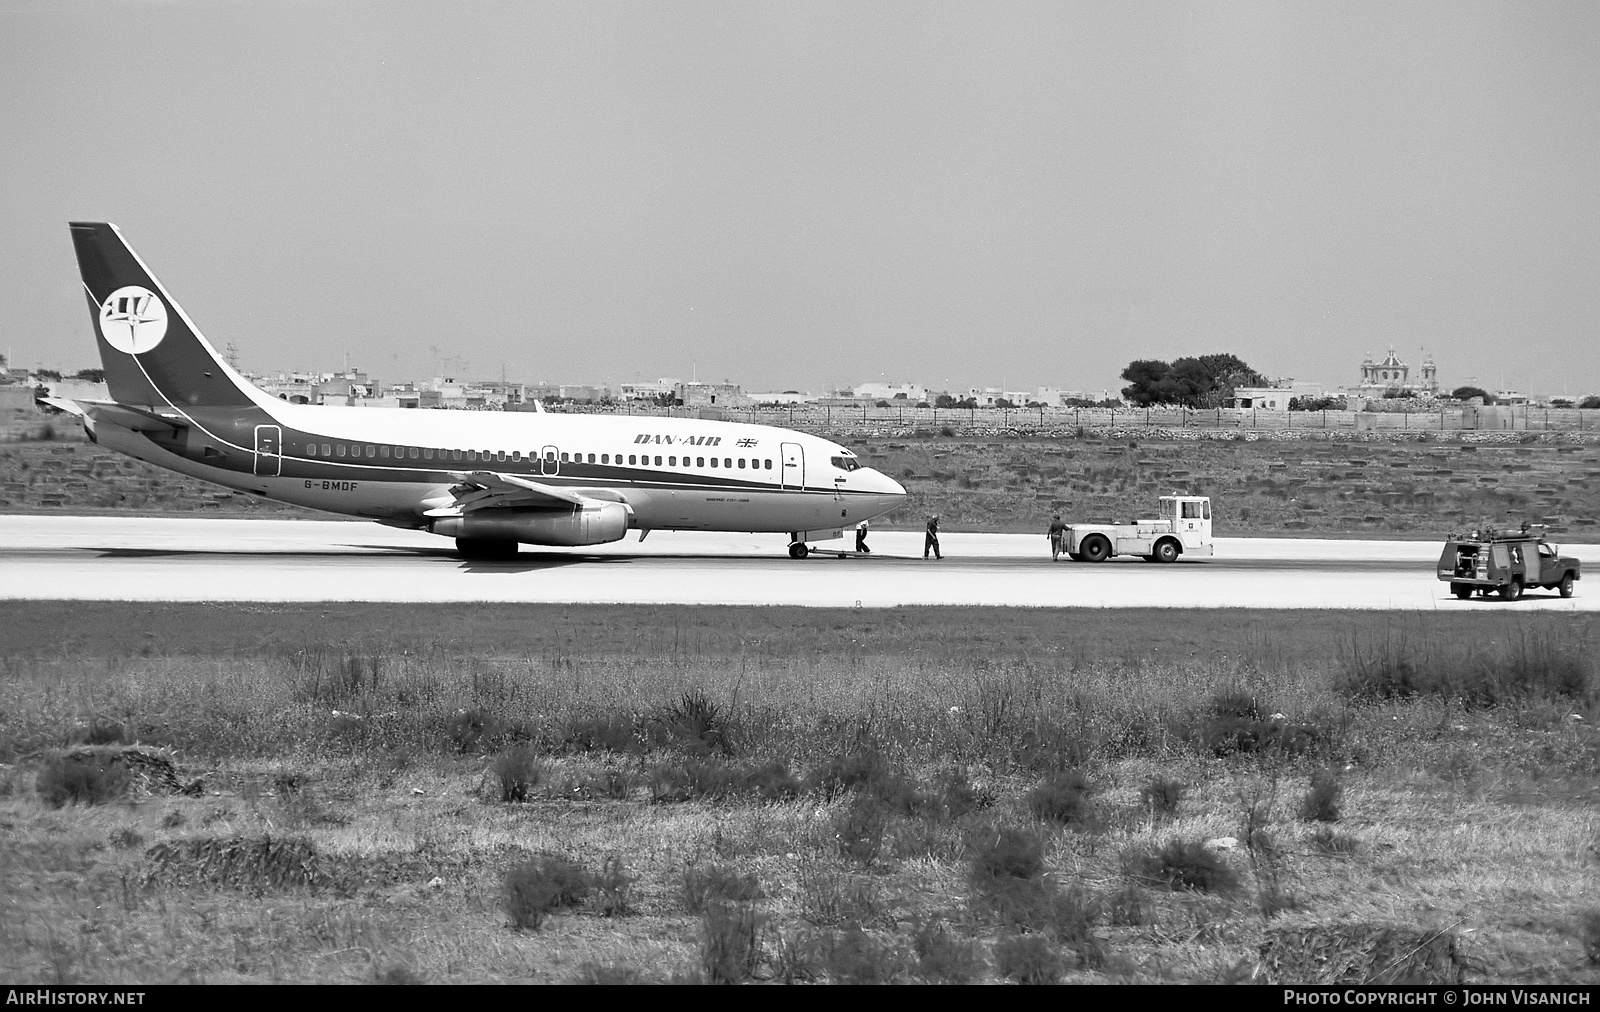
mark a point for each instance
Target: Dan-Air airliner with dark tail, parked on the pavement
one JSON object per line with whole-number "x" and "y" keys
{"x": 489, "y": 480}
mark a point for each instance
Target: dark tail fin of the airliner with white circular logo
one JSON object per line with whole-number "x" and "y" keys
{"x": 153, "y": 355}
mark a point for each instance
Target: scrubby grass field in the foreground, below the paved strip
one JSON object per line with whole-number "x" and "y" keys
{"x": 358, "y": 793}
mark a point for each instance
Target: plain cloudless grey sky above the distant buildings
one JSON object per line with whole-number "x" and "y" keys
{"x": 804, "y": 196}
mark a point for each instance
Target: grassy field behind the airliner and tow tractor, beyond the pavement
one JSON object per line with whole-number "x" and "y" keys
{"x": 1334, "y": 486}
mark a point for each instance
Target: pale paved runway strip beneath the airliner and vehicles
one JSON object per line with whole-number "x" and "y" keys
{"x": 215, "y": 560}
